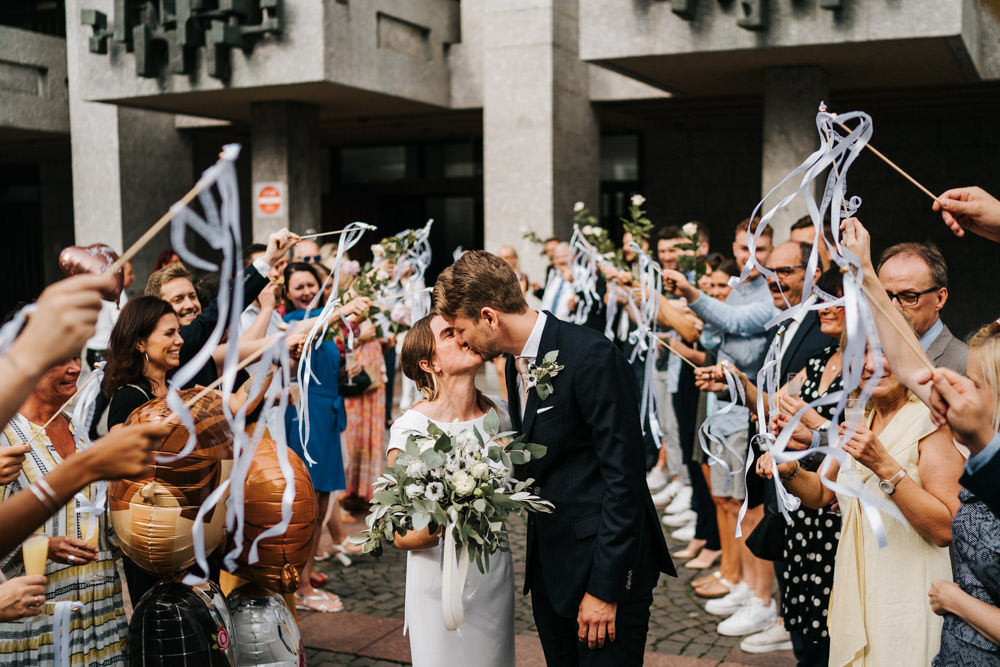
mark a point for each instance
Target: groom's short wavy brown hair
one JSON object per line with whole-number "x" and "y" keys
{"x": 478, "y": 280}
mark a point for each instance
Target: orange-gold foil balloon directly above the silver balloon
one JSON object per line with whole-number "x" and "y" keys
{"x": 282, "y": 557}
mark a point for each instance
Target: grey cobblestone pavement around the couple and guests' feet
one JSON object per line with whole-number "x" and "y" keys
{"x": 679, "y": 625}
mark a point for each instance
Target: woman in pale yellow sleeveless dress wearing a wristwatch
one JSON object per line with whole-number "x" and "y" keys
{"x": 877, "y": 615}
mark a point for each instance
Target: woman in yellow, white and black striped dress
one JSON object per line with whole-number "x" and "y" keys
{"x": 76, "y": 570}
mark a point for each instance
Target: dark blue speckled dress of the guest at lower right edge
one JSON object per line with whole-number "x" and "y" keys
{"x": 975, "y": 556}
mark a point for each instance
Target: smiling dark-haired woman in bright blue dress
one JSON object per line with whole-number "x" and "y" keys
{"x": 326, "y": 420}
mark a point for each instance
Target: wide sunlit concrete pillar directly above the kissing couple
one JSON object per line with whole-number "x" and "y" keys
{"x": 540, "y": 134}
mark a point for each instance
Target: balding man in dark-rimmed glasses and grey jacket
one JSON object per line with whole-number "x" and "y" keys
{"x": 915, "y": 276}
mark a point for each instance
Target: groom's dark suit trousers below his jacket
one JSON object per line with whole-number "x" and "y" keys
{"x": 563, "y": 649}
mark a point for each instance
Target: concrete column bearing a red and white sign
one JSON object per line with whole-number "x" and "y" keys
{"x": 286, "y": 151}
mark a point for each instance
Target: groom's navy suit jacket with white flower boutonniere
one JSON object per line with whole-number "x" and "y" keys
{"x": 604, "y": 537}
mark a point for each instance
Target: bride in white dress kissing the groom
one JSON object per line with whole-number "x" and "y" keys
{"x": 444, "y": 370}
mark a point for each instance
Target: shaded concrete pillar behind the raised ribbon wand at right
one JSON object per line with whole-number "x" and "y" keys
{"x": 791, "y": 100}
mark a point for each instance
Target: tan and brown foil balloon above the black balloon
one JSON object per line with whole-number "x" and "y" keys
{"x": 153, "y": 515}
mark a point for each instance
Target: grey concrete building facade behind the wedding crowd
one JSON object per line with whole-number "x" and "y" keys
{"x": 491, "y": 116}
